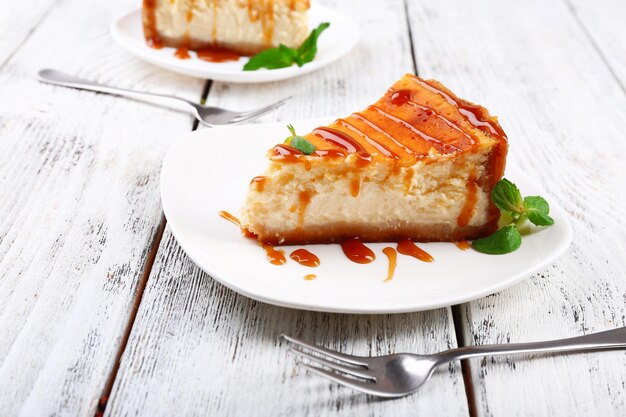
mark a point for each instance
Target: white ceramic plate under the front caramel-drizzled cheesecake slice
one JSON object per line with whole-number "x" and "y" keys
{"x": 209, "y": 170}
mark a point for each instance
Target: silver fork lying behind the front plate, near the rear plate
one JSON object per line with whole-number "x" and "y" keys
{"x": 210, "y": 116}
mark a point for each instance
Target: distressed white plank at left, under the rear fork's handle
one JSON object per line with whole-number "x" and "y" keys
{"x": 80, "y": 208}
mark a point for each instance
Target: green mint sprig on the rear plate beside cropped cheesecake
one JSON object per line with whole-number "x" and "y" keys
{"x": 283, "y": 56}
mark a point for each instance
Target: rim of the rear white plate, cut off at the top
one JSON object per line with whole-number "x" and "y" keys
{"x": 239, "y": 76}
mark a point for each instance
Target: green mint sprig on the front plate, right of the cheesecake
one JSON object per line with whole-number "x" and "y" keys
{"x": 507, "y": 197}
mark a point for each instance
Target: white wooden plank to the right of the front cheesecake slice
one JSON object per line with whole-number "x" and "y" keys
{"x": 532, "y": 64}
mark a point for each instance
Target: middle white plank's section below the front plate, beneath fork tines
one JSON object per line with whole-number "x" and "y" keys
{"x": 198, "y": 349}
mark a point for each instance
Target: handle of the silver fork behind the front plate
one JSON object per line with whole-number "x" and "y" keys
{"x": 51, "y": 76}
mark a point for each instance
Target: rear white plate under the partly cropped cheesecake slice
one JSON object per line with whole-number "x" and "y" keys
{"x": 336, "y": 41}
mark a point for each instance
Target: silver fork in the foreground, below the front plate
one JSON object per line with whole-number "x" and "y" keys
{"x": 403, "y": 373}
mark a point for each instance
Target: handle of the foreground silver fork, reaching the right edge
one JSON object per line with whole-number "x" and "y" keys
{"x": 610, "y": 339}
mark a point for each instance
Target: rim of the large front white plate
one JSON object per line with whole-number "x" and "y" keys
{"x": 512, "y": 279}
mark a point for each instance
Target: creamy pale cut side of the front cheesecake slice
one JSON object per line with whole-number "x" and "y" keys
{"x": 430, "y": 196}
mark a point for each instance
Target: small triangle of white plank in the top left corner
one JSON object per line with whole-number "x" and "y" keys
{"x": 17, "y": 21}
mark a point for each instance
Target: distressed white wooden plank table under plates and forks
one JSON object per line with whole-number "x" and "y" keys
{"x": 102, "y": 312}
